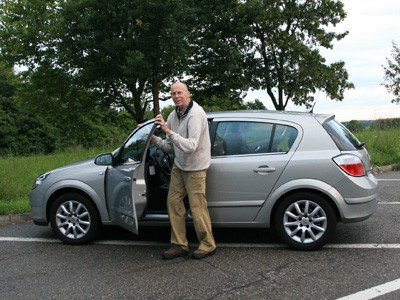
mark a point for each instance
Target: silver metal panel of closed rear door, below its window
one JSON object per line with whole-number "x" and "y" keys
{"x": 238, "y": 186}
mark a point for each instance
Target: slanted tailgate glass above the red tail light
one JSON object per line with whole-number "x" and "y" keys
{"x": 342, "y": 137}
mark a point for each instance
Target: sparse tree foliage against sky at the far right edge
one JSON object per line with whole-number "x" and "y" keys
{"x": 392, "y": 74}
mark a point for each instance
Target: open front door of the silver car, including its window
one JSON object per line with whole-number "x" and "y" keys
{"x": 126, "y": 186}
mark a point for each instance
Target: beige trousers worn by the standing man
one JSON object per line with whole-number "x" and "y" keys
{"x": 193, "y": 184}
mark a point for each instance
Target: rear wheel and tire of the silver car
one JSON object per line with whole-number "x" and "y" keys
{"x": 305, "y": 221}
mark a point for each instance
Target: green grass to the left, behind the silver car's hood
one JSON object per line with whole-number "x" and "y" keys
{"x": 17, "y": 175}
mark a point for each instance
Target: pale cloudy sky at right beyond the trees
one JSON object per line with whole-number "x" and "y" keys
{"x": 372, "y": 26}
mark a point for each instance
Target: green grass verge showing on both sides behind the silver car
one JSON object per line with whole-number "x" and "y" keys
{"x": 17, "y": 174}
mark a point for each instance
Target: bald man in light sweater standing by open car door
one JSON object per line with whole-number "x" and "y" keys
{"x": 188, "y": 138}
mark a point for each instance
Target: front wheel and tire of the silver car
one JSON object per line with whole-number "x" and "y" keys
{"x": 74, "y": 219}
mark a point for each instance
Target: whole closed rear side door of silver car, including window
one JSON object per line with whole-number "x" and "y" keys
{"x": 244, "y": 168}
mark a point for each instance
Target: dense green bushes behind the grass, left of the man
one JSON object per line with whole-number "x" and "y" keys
{"x": 24, "y": 133}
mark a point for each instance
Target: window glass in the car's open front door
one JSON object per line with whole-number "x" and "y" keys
{"x": 133, "y": 149}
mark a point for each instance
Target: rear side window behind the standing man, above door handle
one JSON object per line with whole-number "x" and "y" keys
{"x": 235, "y": 138}
